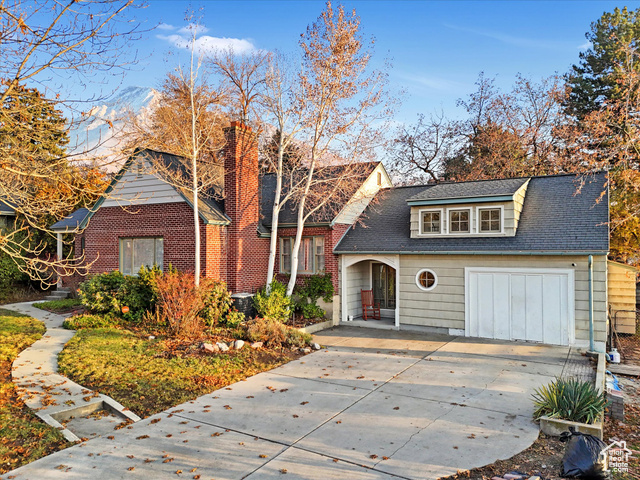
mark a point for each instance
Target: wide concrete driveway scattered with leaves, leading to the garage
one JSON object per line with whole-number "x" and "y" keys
{"x": 374, "y": 405}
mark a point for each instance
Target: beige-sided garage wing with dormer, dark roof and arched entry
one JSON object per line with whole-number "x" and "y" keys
{"x": 515, "y": 259}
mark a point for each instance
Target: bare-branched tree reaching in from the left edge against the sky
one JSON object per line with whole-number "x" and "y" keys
{"x": 46, "y": 44}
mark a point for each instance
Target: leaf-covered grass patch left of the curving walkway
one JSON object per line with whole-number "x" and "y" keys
{"x": 23, "y": 436}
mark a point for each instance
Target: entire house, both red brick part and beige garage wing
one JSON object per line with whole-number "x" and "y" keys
{"x": 517, "y": 259}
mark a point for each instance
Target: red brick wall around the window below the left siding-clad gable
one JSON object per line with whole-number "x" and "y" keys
{"x": 172, "y": 221}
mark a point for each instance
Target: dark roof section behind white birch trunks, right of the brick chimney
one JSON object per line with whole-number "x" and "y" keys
{"x": 288, "y": 214}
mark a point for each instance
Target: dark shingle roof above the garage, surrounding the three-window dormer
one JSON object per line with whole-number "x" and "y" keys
{"x": 554, "y": 219}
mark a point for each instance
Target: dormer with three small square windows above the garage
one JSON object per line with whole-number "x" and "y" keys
{"x": 486, "y": 208}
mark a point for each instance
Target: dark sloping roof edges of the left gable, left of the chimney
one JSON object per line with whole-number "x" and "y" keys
{"x": 209, "y": 209}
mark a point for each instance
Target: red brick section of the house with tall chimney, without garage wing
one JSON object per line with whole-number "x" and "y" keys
{"x": 143, "y": 219}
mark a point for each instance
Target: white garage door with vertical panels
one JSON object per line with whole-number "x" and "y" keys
{"x": 520, "y": 304}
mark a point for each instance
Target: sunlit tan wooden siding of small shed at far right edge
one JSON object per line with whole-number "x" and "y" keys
{"x": 622, "y": 296}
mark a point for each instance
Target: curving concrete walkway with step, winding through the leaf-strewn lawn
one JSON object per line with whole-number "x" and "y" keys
{"x": 77, "y": 411}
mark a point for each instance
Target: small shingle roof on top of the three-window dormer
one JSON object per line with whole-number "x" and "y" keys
{"x": 482, "y": 188}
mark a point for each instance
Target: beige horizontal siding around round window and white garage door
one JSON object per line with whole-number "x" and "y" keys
{"x": 444, "y": 306}
